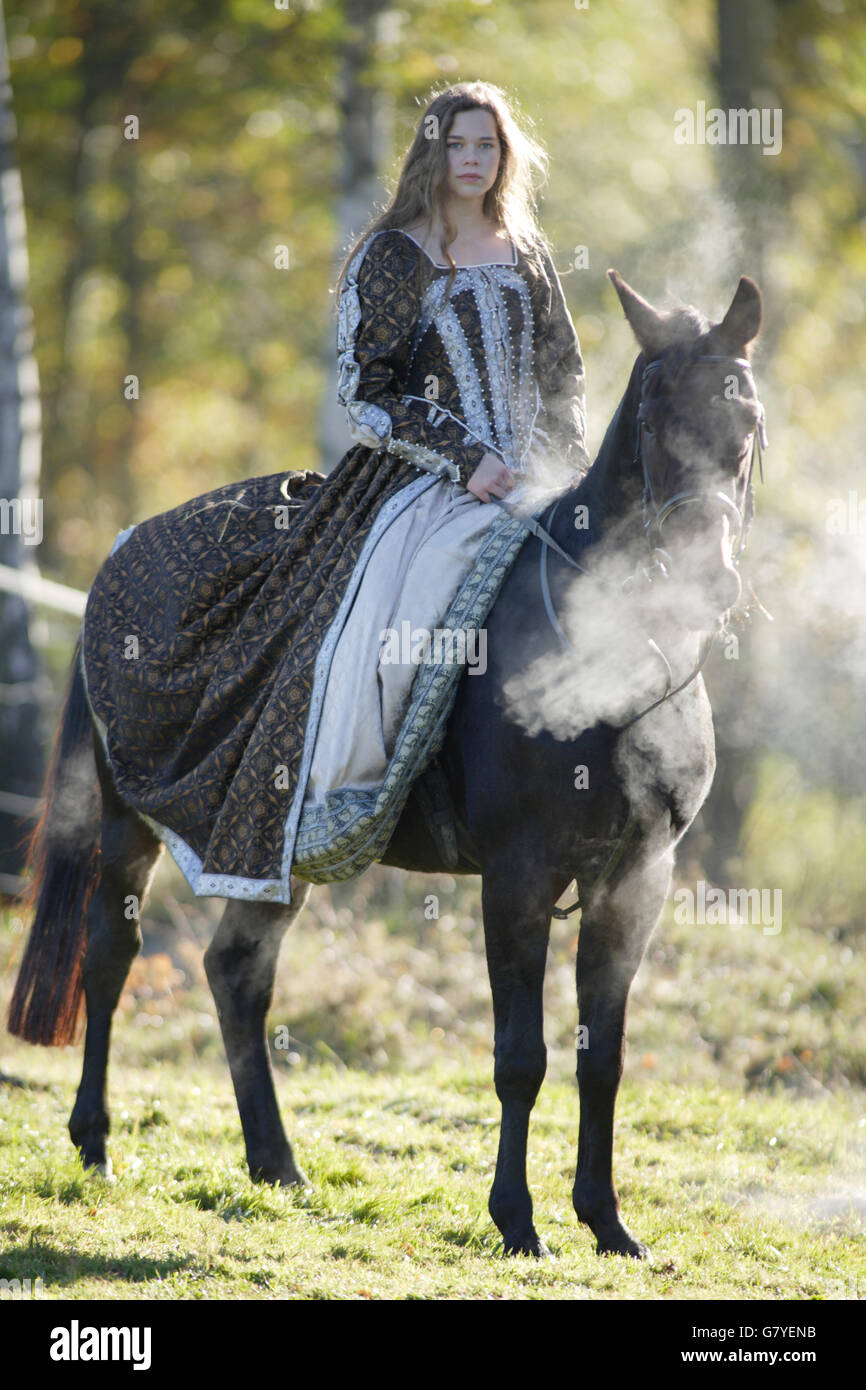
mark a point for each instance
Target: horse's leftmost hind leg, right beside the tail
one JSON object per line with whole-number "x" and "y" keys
{"x": 130, "y": 853}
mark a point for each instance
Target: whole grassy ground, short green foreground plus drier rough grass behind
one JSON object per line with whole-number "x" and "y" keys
{"x": 742, "y": 1127}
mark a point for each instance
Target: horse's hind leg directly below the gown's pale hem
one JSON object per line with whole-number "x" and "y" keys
{"x": 241, "y": 964}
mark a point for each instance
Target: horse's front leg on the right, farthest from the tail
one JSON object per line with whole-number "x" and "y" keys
{"x": 614, "y": 935}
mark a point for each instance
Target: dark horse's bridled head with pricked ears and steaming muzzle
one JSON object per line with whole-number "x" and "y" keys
{"x": 696, "y": 434}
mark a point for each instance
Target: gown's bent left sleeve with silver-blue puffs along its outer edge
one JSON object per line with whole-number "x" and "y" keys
{"x": 379, "y": 309}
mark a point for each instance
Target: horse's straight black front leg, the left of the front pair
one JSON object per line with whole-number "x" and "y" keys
{"x": 516, "y": 931}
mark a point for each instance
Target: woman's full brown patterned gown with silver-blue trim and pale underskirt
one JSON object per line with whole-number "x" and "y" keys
{"x": 231, "y": 646}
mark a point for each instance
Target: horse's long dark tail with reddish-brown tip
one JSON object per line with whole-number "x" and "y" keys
{"x": 65, "y": 862}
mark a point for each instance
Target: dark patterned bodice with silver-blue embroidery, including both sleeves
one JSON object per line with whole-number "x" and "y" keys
{"x": 440, "y": 375}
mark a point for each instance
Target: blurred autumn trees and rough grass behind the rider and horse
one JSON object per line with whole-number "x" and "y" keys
{"x": 266, "y": 126}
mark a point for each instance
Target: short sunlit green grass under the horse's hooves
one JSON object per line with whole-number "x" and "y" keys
{"x": 737, "y": 1196}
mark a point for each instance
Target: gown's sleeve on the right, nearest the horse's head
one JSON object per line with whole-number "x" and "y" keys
{"x": 559, "y": 370}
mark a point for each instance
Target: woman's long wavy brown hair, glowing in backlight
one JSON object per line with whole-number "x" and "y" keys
{"x": 423, "y": 181}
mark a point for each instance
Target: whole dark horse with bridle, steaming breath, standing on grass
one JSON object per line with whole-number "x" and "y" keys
{"x": 583, "y": 754}
